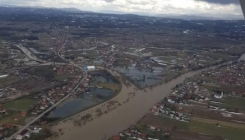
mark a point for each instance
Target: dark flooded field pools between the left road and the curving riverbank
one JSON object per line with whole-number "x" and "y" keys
{"x": 89, "y": 97}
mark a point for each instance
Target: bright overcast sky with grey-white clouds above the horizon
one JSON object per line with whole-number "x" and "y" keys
{"x": 140, "y": 6}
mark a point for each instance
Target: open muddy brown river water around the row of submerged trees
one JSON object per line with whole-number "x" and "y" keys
{"x": 121, "y": 118}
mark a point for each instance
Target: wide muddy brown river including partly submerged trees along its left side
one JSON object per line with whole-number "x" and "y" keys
{"x": 129, "y": 106}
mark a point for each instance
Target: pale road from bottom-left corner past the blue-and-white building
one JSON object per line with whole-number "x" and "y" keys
{"x": 49, "y": 109}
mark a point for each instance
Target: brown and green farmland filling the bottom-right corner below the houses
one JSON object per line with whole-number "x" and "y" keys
{"x": 192, "y": 130}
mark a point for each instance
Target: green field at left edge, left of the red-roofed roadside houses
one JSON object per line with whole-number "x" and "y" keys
{"x": 22, "y": 104}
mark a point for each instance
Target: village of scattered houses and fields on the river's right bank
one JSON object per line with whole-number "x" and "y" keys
{"x": 215, "y": 98}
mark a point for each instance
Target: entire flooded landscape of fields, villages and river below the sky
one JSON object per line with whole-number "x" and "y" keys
{"x": 147, "y": 77}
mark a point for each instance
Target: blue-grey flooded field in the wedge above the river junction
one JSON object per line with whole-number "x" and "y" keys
{"x": 142, "y": 76}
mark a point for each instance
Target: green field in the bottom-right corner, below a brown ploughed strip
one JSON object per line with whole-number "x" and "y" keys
{"x": 228, "y": 133}
